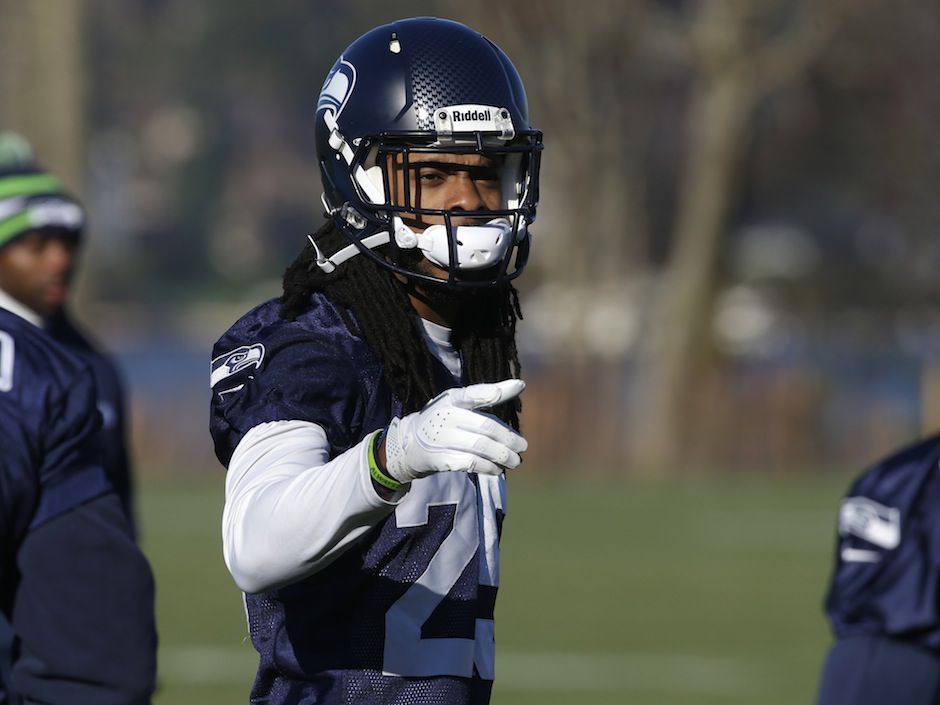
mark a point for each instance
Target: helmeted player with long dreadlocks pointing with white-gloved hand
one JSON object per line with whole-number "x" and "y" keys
{"x": 368, "y": 416}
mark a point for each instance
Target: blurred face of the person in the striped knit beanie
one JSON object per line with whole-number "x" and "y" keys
{"x": 36, "y": 269}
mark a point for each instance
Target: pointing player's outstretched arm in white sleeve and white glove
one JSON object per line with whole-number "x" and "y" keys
{"x": 290, "y": 510}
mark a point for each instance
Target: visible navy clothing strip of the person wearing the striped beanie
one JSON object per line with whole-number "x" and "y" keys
{"x": 110, "y": 393}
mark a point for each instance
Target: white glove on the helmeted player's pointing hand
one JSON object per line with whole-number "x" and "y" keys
{"x": 449, "y": 434}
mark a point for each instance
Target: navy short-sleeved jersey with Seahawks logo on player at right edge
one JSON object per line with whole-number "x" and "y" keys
{"x": 887, "y": 574}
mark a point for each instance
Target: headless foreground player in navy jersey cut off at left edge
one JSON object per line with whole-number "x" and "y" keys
{"x": 73, "y": 584}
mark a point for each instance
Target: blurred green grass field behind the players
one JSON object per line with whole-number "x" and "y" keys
{"x": 693, "y": 592}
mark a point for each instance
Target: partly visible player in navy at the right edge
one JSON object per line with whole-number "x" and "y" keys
{"x": 883, "y": 599}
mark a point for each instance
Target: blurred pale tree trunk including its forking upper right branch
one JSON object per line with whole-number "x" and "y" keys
{"x": 735, "y": 70}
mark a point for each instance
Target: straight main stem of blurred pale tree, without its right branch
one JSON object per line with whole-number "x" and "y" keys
{"x": 719, "y": 107}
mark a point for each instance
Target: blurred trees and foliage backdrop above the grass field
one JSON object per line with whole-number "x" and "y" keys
{"x": 735, "y": 257}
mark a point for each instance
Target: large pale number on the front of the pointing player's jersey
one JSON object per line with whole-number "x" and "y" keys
{"x": 406, "y": 653}
